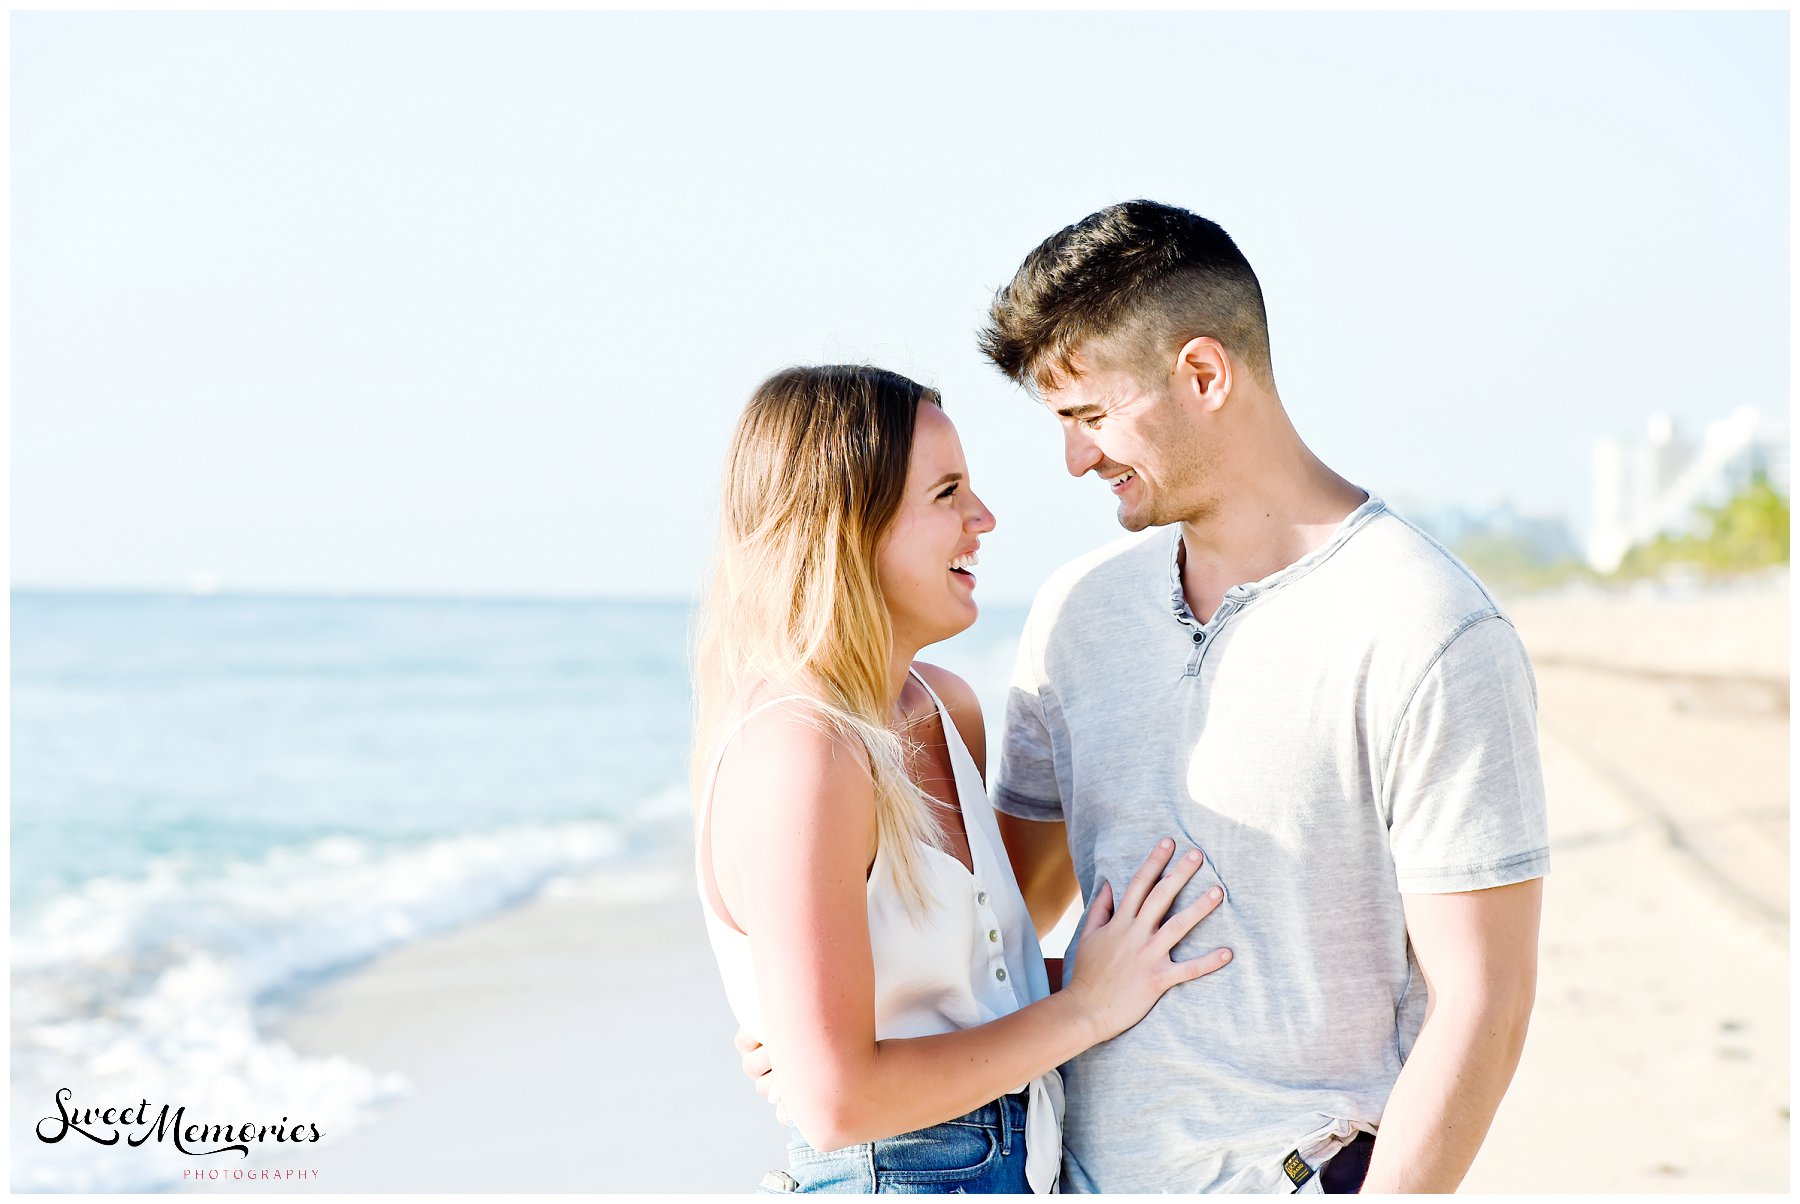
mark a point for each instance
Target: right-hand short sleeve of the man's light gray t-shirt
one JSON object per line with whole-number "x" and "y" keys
{"x": 1464, "y": 786}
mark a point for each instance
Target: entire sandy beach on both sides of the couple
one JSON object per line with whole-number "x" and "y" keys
{"x": 580, "y": 1043}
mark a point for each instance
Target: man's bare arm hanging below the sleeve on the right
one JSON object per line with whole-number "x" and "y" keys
{"x": 1479, "y": 955}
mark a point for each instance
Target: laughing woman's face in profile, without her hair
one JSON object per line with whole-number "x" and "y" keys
{"x": 924, "y": 557}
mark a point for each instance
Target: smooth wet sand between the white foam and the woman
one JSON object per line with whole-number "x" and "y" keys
{"x": 577, "y": 1043}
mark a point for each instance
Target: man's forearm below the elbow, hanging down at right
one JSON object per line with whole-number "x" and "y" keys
{"x": 1448, "y": 1095}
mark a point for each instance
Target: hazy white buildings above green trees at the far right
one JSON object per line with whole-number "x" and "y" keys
{"x": 1650, "y": 489}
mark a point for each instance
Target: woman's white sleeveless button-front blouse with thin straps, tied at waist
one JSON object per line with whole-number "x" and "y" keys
{"x": 971, "y": 958}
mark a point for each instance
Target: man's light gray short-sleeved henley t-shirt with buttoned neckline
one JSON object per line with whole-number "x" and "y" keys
{"x": 1354, "y": 726}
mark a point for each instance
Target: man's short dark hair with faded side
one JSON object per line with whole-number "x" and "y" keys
{"x": 1138, "y": 276}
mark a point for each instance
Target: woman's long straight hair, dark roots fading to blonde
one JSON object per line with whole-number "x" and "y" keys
{"x": 813, "y": 480}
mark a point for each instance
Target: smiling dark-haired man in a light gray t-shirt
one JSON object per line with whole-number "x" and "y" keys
{"x": 1308, "y": 688}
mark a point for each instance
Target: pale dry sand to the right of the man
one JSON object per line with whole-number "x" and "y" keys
{"x": 1660, "y": 1047}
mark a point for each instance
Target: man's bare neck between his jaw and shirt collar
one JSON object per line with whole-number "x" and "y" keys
{"x": 1264, "y": 525}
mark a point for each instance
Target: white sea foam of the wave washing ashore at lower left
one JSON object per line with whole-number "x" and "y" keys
{"x": 148, "y": 989}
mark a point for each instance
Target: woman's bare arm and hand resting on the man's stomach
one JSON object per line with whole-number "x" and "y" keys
{"x": 795, "y": 836}
